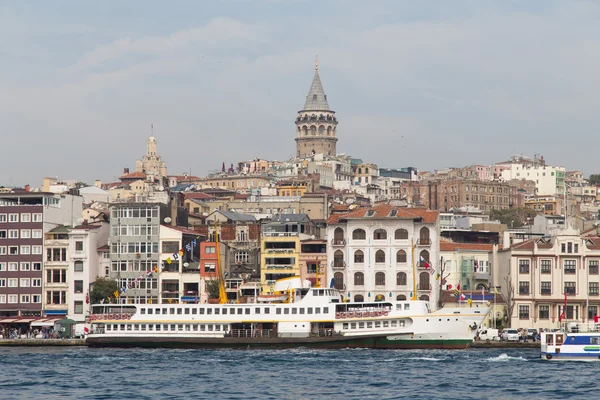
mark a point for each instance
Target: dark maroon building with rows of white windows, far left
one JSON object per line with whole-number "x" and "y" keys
{"x": 25, "y": 218}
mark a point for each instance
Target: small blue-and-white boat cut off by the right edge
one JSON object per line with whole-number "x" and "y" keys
{"x": 573, "y": 342}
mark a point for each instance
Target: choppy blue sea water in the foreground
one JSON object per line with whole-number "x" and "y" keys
{"x": 84, "y": 373}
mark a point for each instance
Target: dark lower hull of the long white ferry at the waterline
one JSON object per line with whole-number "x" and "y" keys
{"x": 336, "y": 342}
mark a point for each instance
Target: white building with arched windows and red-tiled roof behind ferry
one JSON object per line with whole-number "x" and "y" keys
{"x": 372, "y": 252}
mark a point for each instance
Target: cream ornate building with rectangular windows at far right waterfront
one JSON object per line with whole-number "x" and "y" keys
{"x": 541, "y": 271}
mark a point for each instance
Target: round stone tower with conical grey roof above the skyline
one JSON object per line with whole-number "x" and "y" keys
{"x": 316, "y": 125}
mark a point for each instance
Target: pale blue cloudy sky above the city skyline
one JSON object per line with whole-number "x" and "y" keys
{"x": 428, "y": 84}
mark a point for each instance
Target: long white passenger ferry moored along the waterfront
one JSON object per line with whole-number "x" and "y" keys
{"x": 298, "y": 316}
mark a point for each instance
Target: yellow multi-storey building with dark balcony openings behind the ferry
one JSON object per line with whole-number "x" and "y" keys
{"x": 279, "y": 258}
